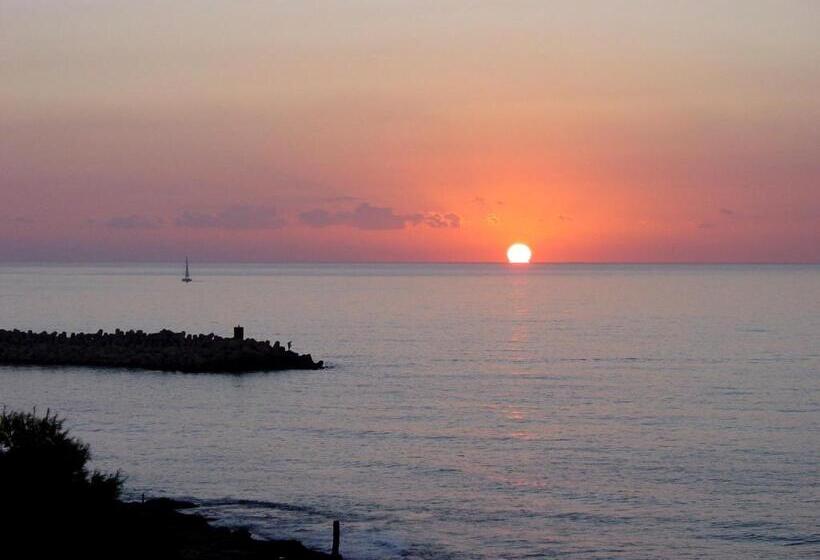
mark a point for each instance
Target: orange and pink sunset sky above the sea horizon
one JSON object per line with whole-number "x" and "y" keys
{"x": 605, "y": 131}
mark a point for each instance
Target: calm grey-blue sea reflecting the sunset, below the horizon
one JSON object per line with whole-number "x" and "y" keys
{"x": 470, "y": 411}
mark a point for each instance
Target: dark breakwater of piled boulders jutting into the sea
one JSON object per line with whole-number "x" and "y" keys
{"x": 164, "y": 350}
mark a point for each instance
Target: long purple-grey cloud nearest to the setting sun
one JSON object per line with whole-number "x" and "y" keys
{"x": 368, "y": 217}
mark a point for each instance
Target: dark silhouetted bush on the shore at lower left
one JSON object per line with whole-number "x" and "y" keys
{"x": 40, "y": 463}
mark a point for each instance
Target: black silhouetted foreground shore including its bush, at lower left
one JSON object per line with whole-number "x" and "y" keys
{"x": 53, "y": 506}
